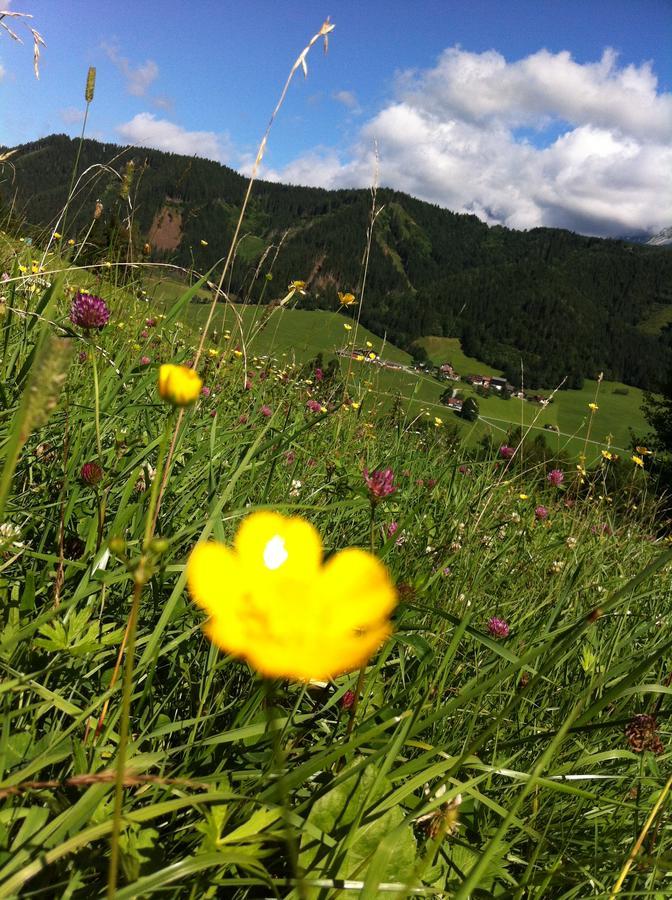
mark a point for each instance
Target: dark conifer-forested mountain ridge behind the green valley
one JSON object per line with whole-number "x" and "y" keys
{"x": 564, "y": 304}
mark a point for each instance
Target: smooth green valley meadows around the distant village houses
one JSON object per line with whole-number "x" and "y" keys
{"x": 300, "y": 334}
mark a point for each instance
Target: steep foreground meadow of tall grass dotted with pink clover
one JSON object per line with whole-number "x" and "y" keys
{"x": 481, "y": 759}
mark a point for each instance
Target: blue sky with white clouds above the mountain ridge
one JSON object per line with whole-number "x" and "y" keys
{"x": 526, "y": 111}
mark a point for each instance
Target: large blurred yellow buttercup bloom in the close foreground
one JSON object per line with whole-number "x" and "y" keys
{"x": 272, "y": 601}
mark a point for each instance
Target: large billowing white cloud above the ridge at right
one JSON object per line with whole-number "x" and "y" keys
{"x": 544, "y": 140}
